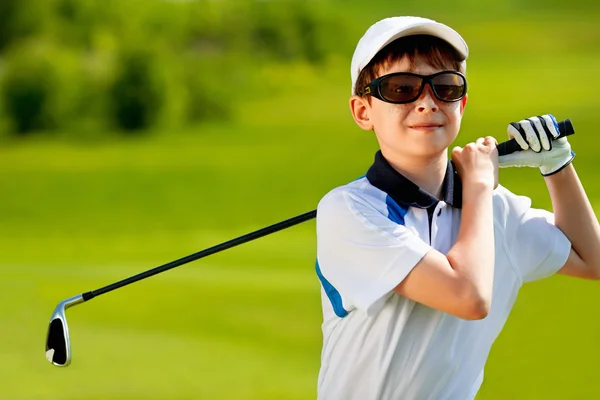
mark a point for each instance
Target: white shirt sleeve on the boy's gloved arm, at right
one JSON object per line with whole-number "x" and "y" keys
{"x": 536, "y": 245}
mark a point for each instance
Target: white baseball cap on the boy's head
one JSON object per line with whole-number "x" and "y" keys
{"x": 387, "y": 30}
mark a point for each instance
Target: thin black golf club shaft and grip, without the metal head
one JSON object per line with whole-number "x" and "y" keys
{"x": 565, "y": 128}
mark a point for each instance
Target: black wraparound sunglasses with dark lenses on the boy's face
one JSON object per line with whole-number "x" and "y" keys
{"x": 406, "y": 87}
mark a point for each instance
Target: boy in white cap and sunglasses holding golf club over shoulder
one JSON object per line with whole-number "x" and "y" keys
{"x": 421, "y": 260}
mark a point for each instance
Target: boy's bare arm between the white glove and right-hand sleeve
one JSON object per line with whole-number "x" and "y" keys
{"x": 575, "y": 217}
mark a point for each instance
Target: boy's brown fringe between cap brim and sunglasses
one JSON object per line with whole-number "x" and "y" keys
{"x": 436, "y": 52}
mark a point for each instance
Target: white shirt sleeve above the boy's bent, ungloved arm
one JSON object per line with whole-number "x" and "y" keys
{"x": 361, "y": 252}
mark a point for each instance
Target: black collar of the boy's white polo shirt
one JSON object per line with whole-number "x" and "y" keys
{"x": 404, "y": 192}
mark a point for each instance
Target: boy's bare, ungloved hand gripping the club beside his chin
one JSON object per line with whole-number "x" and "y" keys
{"x": 478, "y": 161}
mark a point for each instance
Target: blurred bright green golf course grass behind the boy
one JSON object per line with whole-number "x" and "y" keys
{"x": 245, "y": 324}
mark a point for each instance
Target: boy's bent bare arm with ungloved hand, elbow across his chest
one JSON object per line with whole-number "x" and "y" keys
{"x": 461, "y": 282}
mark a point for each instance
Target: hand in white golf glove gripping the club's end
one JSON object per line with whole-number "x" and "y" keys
{"x": 535, "y": 136}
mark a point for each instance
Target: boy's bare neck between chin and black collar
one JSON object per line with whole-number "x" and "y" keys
{"x": 427, "y": 173}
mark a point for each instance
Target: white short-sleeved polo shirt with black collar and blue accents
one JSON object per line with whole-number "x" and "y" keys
{"x": 378, "y": 345}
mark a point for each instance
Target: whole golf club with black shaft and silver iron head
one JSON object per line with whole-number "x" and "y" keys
{"x": 58, "y": 344}
